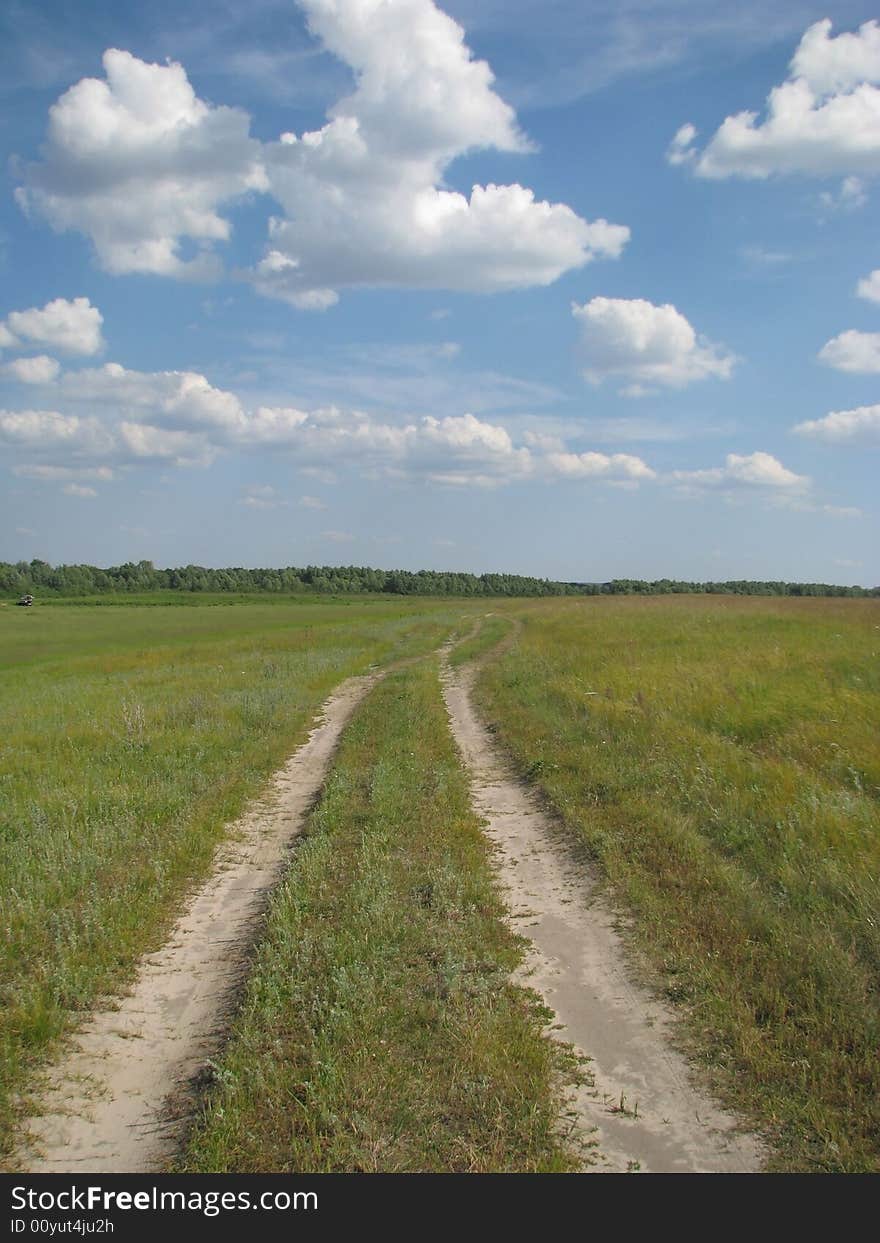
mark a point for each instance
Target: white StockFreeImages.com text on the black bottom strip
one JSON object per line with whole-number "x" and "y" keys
{"x": 100, "y": 1200}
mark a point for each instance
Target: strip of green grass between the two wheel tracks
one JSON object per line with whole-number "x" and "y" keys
{"x": 380, "y": 1031}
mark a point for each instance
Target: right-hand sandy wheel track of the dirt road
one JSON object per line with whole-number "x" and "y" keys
{"x": 644, "y": 1111}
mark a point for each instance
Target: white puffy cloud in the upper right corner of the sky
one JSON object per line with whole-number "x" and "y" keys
{"x": 823, "y": 121}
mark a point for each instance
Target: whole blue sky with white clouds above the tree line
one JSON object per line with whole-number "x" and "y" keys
{"x": 582, "y": 290}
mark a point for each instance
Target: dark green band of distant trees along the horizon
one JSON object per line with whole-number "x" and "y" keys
{"x": 40, "y": 579}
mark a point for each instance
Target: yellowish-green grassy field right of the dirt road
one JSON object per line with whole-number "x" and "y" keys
{"x": 722, "y": 760}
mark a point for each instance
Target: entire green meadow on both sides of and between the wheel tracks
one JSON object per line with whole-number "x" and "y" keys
{"x": 719, "y": 758}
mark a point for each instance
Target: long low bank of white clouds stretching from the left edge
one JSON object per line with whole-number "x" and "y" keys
{"x": 180, "y": 418}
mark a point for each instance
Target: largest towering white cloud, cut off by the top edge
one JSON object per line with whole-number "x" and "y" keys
{"x": 365, "y": 201}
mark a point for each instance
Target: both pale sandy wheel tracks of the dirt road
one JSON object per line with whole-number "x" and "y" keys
{"x": 121, "y": 1098}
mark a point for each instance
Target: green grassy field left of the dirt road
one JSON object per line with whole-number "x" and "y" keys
{"x": 131, "y": 736}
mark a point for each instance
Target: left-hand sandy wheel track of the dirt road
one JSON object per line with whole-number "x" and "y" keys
{"x": 120, "y": 1101}
